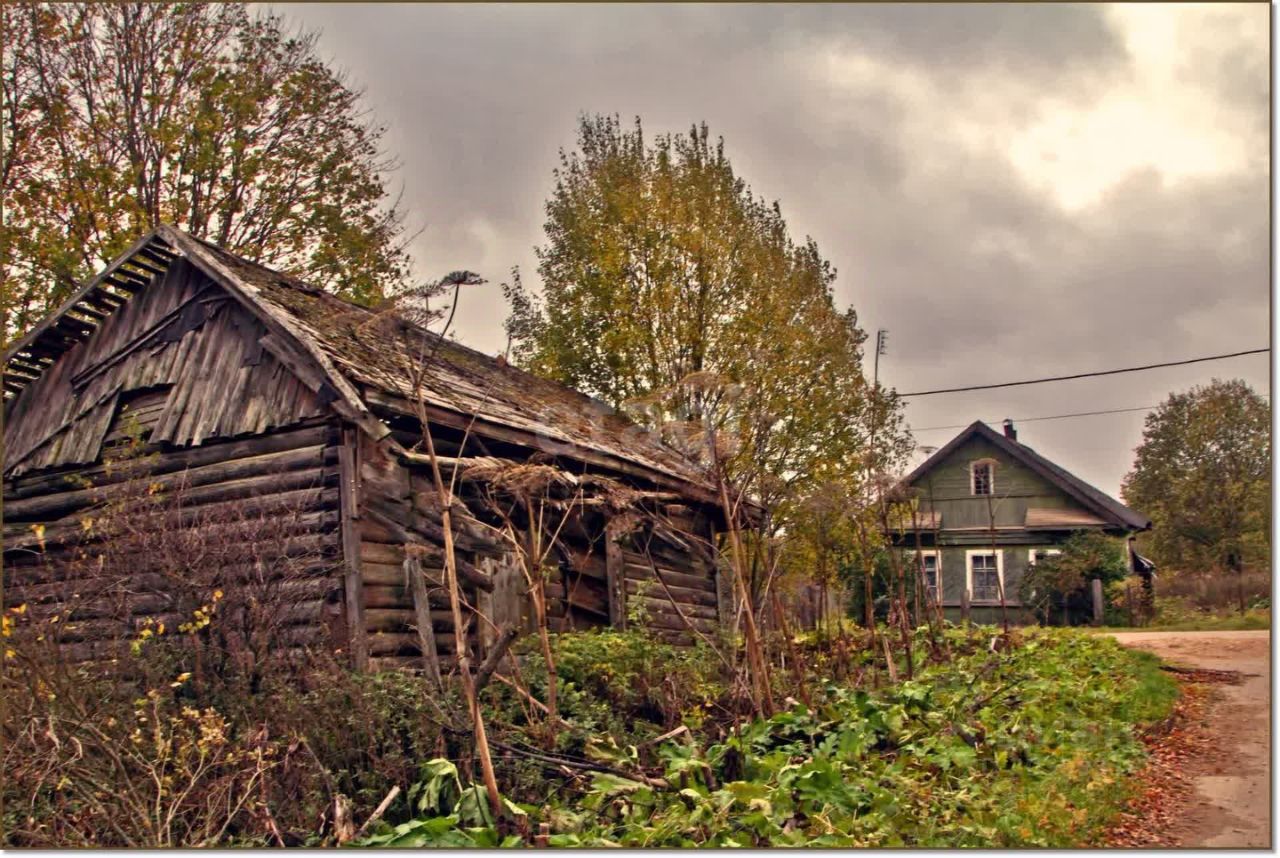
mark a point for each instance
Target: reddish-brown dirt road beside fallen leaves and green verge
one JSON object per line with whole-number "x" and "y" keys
{"x": 1232, "y": 804}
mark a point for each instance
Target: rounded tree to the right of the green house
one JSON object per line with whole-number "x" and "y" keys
{"x": 1204, "y": 476}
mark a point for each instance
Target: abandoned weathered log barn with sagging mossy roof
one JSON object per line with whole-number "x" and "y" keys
{"x": 272, "y": 427}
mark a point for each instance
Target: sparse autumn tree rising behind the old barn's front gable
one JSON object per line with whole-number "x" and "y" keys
{"x": 122, "y": 116}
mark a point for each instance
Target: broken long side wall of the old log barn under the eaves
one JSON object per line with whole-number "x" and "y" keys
{"x": 657, "y": 574}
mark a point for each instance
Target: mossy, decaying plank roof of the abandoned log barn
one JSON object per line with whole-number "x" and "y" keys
{"x": 337, "y": 349}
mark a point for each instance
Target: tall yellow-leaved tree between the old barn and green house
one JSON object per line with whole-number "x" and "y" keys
{"x": 670, "y": 289}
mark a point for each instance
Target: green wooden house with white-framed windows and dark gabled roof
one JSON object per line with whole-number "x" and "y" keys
{"x": 989, "y": 508}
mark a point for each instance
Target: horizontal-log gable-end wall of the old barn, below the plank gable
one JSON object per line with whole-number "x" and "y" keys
{"x": 118, "y": 544}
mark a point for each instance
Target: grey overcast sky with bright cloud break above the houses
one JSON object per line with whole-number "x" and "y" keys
{"x": 1012, "y": 191}
